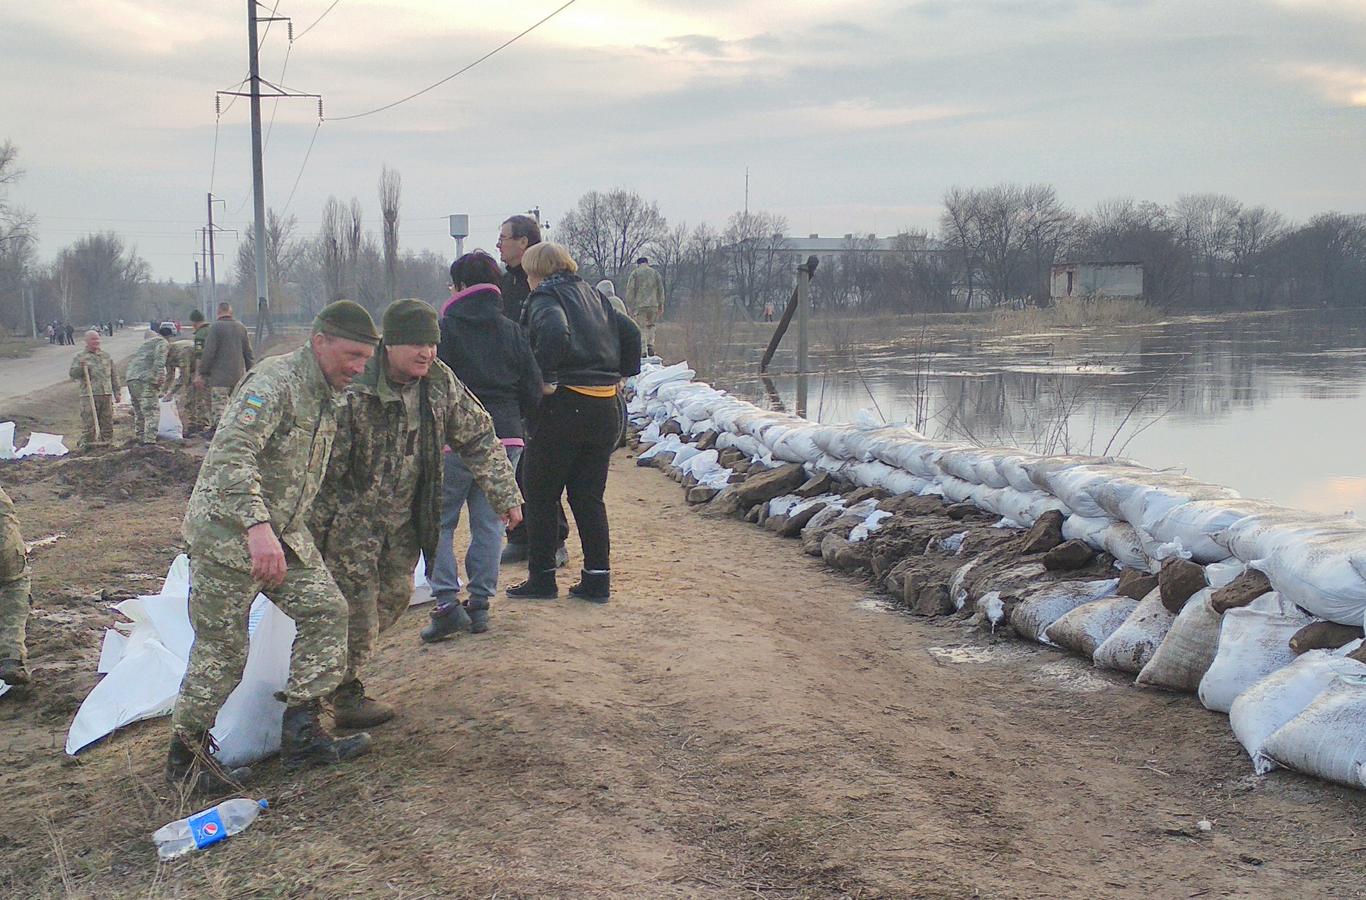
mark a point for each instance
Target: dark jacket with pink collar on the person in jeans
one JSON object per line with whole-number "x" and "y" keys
{"x": 492, "y": 357}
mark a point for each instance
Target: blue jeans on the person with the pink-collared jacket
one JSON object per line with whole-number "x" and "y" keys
{"x": 482, "y": 561}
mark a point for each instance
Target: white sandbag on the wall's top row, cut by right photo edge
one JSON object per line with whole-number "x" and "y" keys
{"x": 1323, "y": 573}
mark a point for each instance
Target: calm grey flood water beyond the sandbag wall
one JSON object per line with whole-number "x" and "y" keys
{"x": 1272, "y": 406}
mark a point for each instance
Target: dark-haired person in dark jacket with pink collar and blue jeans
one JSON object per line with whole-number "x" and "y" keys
{"x": 491, "y": 356}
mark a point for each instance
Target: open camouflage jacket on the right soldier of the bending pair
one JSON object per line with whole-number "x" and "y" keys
{"x": 368, "y": 425}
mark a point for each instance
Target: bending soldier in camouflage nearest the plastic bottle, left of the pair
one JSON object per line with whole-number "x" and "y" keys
{"x": 248, "y": 532}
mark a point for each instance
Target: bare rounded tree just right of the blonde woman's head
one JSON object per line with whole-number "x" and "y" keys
{"x": 606, "y": 233}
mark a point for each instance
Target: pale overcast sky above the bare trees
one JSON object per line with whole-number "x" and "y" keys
{"x": 852, "y": 115}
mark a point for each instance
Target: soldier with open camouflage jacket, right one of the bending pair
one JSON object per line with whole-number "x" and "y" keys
{"x": 380, "y": 503}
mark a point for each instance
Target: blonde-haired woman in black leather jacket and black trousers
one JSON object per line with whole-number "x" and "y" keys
{"x": 584, "y": 348}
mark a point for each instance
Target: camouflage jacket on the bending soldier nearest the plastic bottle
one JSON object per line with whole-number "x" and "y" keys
{"x": 266, "y": 462}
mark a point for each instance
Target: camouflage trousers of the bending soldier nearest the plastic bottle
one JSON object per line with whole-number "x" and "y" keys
{"x": 221, "y": 604}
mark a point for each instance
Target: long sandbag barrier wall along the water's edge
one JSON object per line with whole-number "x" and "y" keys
{"x": 1186, "y": 585}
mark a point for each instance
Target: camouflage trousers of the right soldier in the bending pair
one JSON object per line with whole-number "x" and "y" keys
{"x": 374, "y": 567}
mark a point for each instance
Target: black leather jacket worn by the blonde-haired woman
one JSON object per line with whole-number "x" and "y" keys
{"x": 577, "y": 337}
